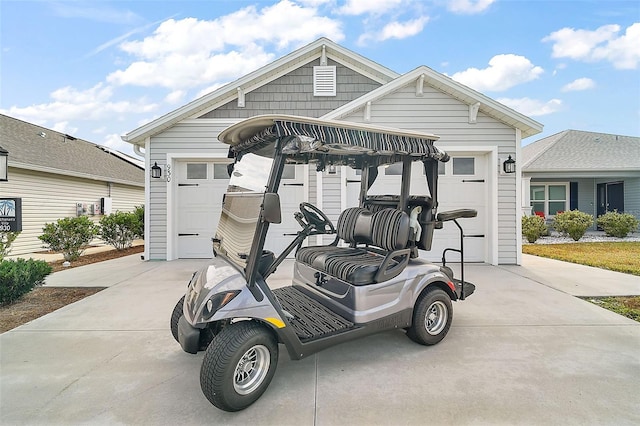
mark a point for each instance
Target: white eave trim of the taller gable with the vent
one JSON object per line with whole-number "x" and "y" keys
{"x": 261, "y": 77}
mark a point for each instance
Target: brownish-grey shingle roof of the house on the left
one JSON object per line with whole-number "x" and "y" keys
{"x": 37, "y": 148}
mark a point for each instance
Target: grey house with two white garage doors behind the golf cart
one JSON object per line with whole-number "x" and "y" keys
{"x": 326, "y": 80}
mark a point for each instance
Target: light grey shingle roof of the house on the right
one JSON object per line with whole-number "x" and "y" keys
{"x": 575, "y": 150}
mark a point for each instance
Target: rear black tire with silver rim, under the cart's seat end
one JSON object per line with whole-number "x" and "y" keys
{"x": 432, "y": 316}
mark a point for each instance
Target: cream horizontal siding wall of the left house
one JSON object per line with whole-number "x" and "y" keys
{"x": 47, "y": 197}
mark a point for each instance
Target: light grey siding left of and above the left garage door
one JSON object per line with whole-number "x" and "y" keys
{"x": 197, "y": 137}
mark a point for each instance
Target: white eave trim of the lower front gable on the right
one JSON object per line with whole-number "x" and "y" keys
{"x": 454, "y": 89}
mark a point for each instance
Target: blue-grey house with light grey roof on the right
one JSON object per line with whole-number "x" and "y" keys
{"x": 591, "y": 172}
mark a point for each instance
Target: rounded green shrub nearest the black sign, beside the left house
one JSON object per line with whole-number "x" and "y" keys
{"x": 69, "y": 235}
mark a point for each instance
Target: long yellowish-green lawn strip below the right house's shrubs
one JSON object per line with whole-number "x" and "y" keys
{"x": 621, "y": 257}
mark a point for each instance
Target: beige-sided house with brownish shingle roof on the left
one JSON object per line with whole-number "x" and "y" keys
{"x": 58, "y": 175}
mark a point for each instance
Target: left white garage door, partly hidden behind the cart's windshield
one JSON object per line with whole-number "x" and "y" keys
{"x": 201, "y": 185}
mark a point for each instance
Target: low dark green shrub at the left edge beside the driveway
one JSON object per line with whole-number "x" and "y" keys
{"x": 18, "y": 277}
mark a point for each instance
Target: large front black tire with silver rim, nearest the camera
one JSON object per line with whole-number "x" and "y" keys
{"x": 239, "y": 365}
